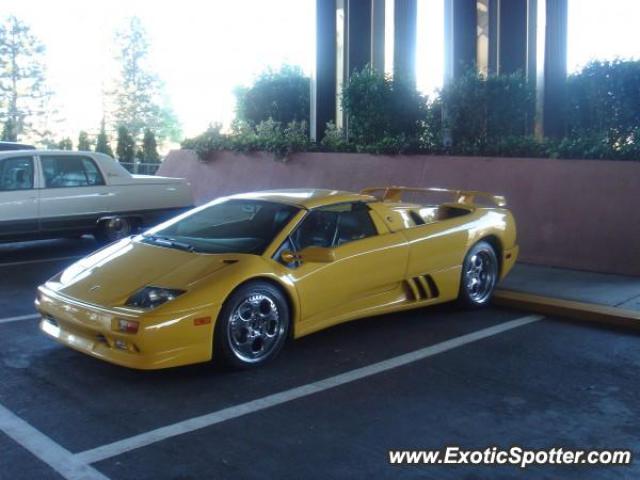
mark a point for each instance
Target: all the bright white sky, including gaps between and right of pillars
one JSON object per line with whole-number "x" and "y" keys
{"x": 202, "y": 49}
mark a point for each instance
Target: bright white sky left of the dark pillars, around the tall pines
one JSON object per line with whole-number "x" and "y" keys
{"x": 200, "y": 49}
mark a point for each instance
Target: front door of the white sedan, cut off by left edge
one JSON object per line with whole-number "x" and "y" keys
{"x": 18, "y": 197}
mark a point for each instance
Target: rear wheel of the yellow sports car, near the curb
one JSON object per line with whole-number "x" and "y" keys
{"x": 479, "y": 275}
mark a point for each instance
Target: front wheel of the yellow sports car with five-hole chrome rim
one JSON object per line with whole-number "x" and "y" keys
{"x": 252, "y": 326}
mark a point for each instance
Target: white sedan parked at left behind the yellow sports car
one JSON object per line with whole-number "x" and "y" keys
{"x": 48, "y": 193}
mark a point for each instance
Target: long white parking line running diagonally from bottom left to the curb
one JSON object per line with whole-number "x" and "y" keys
{"x": 144, "y": 439}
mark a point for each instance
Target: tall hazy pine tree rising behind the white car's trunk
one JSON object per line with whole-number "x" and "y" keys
{"x": 138, "y": 98}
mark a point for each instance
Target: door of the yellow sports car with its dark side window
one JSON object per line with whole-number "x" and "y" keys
{"x": 368, "y": 264}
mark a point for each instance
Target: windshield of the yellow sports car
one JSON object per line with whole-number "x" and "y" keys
{"x": 230, "y": 226}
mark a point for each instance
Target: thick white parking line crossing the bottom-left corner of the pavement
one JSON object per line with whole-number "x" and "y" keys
{"x": 42, "y": 447}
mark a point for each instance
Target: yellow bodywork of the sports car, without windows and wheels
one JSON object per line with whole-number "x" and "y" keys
{"x": 404, "y": 266}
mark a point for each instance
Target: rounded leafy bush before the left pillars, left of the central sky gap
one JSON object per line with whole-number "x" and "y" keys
{"x": 382, "y": 114}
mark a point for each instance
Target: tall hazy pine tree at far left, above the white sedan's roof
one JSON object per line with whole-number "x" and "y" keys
{"x": 24, "y": 97}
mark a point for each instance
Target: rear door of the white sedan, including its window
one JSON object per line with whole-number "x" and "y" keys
{"x": 74, "y": 194}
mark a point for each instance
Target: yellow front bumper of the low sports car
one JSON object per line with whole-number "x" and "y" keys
{"x": 162, "y": 341}
